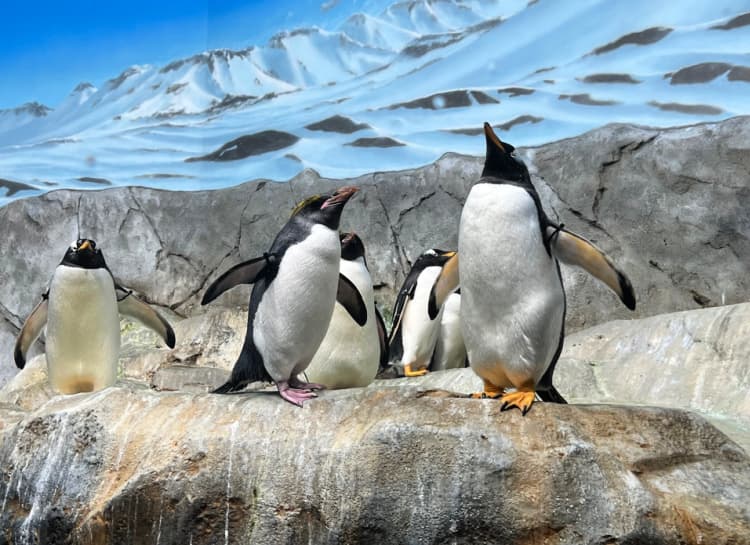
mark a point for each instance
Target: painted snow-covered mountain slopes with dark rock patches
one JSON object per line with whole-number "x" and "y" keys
{"x": 387, "y": 91}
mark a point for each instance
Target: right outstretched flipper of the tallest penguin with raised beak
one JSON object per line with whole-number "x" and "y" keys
{"x": 573, "y": 249}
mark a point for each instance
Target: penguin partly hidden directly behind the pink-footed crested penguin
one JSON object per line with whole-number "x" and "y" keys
{"x": 351, "y": 354}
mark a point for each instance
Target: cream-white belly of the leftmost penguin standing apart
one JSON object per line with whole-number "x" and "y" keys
{"x": 83, "y": 330}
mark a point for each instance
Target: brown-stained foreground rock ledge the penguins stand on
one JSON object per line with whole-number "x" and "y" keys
{"x": 379, "y": 465}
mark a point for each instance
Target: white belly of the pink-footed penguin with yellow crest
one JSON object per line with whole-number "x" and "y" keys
{"x": 296, "y": 308}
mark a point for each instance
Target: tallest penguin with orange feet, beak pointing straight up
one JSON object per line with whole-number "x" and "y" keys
{"x": 513, "y": 301}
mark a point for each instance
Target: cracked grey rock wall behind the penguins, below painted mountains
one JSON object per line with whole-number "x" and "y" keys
{"x": 666, "y": 205}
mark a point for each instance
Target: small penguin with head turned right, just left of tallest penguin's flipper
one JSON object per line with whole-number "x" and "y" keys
{"x": 414, "y": 333}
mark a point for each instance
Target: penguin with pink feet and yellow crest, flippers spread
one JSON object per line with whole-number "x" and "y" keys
{"x": 296, "y": 284}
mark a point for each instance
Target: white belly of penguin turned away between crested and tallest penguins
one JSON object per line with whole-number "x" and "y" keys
{"x": 418, "y": 333}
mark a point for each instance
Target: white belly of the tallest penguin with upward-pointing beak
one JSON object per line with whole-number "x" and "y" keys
{"x": 512, "y": 296}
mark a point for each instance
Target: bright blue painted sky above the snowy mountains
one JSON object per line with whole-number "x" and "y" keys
{"x": 48, "y": 47}
